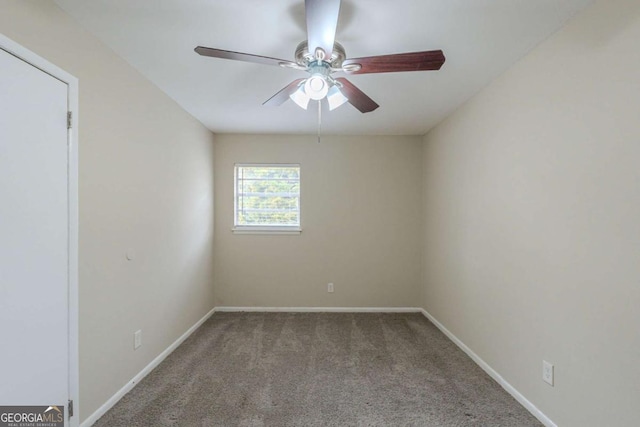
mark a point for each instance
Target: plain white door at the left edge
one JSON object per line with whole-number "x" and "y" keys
{"x": 34, "y": 236}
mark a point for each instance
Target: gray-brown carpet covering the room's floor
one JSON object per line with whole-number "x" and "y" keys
{"x": 317, "y": 369}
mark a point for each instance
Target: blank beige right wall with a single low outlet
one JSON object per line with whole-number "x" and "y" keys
{"x": 532, "y": 220}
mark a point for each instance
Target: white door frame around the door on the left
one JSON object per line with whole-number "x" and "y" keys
{"x": 35, "y": 60}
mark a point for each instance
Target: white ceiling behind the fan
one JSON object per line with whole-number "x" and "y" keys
{"x": 480, "y": 39}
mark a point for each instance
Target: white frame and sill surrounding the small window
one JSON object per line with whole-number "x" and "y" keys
{"x": 265, "y": 229}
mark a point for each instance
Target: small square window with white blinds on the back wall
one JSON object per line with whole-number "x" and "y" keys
{"x": 267, "y": 198}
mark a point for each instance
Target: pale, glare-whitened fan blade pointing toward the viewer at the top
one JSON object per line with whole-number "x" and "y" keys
{"x": 322, "y": 22}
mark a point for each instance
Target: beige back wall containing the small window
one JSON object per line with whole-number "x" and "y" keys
{"x": 360, "y": 213}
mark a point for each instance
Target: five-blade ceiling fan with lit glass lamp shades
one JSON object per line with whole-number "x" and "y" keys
{"x": 321, "y": 56}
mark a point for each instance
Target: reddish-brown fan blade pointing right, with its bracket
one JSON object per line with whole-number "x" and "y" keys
{"x": 414, "y": 61}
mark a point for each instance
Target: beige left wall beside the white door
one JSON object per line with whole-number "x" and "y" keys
{"x": 146, "y": 182}
